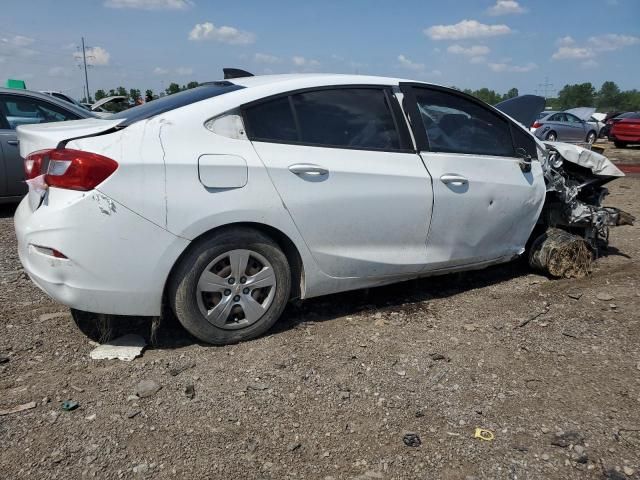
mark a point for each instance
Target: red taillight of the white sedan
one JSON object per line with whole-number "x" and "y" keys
{"x": 70, "y": 169}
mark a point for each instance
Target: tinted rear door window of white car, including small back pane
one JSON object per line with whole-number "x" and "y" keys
{"x": 358, "y": 118}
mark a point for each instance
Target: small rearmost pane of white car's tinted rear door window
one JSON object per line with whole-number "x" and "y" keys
{"x": 272, "y": 121}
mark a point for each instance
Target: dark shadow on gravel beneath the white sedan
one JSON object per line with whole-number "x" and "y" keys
{"x": 402, "y": 295}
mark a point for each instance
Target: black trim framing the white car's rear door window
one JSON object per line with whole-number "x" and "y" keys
{"x": 406, "y": 145}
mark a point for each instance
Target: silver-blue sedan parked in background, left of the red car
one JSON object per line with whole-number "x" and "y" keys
{"x": 564, "y": 127}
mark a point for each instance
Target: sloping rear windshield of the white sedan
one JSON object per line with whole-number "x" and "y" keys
{"x": 171, "y": 102}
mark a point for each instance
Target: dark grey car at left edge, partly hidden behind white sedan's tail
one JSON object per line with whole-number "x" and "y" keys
{"x": 24, "y": 107}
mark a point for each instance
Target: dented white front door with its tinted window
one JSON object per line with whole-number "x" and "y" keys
{"x": 486, "y": 200}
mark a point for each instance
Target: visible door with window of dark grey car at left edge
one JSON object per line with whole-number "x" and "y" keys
{"x": 23, "y": 110}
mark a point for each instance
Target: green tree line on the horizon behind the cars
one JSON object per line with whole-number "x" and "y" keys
{"x": 608, "y": 98}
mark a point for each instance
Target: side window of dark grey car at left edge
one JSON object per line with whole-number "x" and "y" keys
{"x": 20, "y": 110}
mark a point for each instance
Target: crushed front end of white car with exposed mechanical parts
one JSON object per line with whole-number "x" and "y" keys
{"x": 575, "y": 177}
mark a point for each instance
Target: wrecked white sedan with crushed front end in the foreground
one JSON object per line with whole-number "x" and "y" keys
{"x": 224, "y": 202}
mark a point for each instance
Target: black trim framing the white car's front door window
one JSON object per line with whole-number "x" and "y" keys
{"x": 419, "y": 131}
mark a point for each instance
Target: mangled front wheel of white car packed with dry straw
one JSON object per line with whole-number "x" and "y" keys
{"x": 561, "y": 254}
